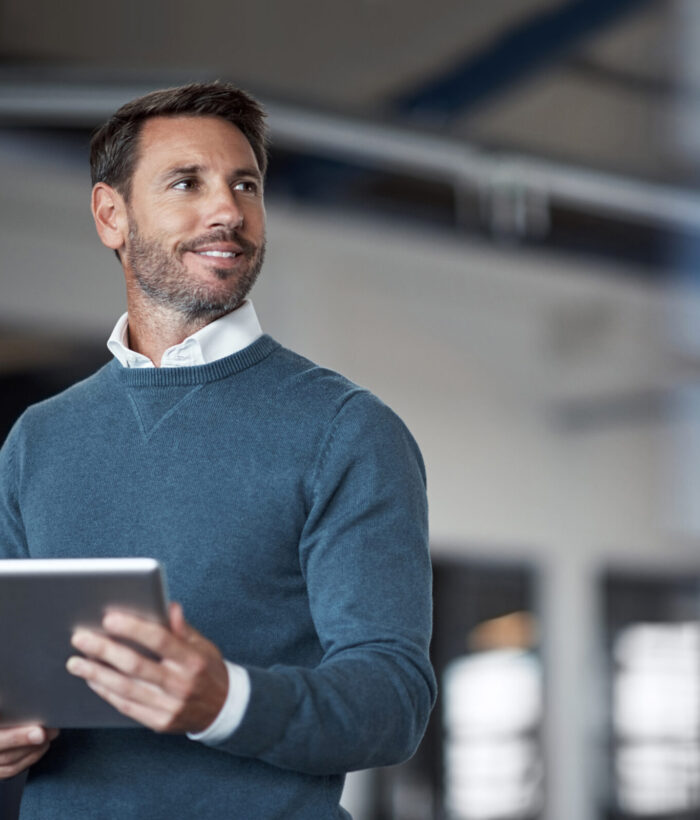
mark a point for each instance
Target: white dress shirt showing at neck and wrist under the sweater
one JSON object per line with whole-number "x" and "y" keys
{"x": 220, "y": 338}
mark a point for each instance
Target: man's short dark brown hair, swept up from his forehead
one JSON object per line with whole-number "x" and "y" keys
{"x": 114, "y": 146}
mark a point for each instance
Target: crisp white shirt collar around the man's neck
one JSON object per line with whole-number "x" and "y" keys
{"x": 220, "y": 338}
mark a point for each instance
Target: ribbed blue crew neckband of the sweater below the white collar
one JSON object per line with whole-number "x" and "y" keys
{"x": 190, "y": 376}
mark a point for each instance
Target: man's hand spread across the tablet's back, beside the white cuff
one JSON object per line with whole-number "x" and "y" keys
{"x": 182, "y": 692}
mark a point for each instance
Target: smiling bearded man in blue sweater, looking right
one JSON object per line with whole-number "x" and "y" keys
{"x": 287, "y": 505}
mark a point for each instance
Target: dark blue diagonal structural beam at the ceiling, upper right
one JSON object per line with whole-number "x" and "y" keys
{"x": 513, "y": 57}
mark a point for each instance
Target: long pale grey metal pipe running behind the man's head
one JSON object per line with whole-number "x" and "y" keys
{"x": 385, "y": 147}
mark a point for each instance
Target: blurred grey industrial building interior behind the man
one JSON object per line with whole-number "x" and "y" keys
{"x": 487, "y": 212}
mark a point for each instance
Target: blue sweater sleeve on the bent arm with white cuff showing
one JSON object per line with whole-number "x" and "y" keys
{"x": 364, "y": 555}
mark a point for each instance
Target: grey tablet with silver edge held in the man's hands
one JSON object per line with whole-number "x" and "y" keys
{"x": 41, "y": 602}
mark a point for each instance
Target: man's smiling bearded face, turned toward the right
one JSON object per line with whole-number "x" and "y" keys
{"x": 196, "y": 217}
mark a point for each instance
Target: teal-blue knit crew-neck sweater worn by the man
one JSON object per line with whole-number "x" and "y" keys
{"x": 288, "y": 507}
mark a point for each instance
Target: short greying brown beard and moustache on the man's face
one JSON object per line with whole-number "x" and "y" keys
{"x": 166, "y": 280}
